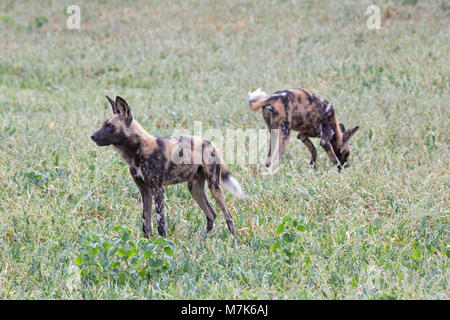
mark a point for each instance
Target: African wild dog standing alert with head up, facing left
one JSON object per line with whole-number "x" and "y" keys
{"x": 158, "y": 161}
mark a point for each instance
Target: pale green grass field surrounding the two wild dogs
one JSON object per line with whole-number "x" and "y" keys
{"x": 70, "y": 215}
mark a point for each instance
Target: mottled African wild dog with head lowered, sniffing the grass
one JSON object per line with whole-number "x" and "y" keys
{"x": 302, "y": 111}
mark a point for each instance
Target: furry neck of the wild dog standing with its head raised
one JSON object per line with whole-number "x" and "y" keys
{"x": 136, "y": 143}
